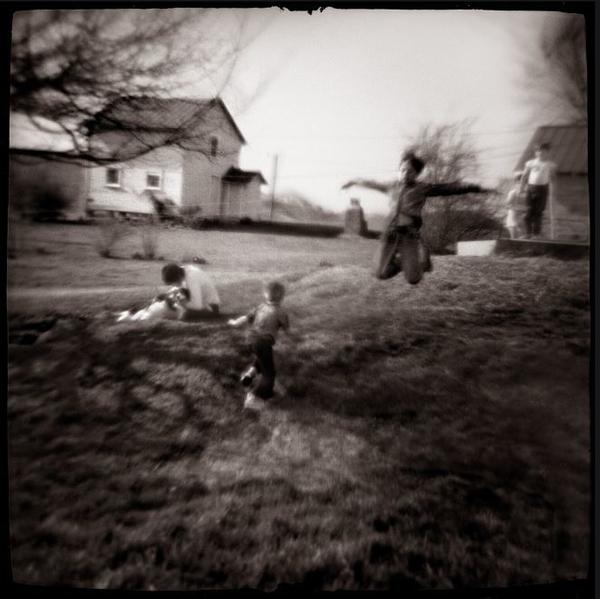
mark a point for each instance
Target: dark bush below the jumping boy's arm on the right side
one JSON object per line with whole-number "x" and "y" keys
{"x": 449, "y": 220}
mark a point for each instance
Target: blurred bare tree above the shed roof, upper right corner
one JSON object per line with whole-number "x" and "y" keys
{"x": 555, "y": 71}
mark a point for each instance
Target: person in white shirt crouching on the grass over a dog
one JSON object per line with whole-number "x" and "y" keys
{"x": 203, "y": 293}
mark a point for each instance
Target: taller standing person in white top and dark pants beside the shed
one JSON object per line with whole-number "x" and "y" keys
{"x": 538, "y": 182}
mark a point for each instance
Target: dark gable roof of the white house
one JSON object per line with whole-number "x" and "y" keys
{"x": 158, "y": 114}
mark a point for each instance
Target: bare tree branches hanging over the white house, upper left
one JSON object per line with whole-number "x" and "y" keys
{"x": 93, "y": 71}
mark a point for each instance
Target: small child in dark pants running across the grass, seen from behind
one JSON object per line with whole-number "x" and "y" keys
{"x": 265, "y": 321}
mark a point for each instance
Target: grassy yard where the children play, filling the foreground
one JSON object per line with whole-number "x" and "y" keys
{"x": 434, "y": 436}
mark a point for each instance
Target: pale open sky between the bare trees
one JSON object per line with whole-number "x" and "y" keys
{"x": 337, "y": 94}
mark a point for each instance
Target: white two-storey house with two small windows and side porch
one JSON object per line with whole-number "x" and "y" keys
{"x": 198, "y": 172}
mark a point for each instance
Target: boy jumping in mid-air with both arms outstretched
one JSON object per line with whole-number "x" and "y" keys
{"x": 401, "y": 234}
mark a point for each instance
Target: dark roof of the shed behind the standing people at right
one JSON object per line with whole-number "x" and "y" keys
{"x": 568, "y": 148}
